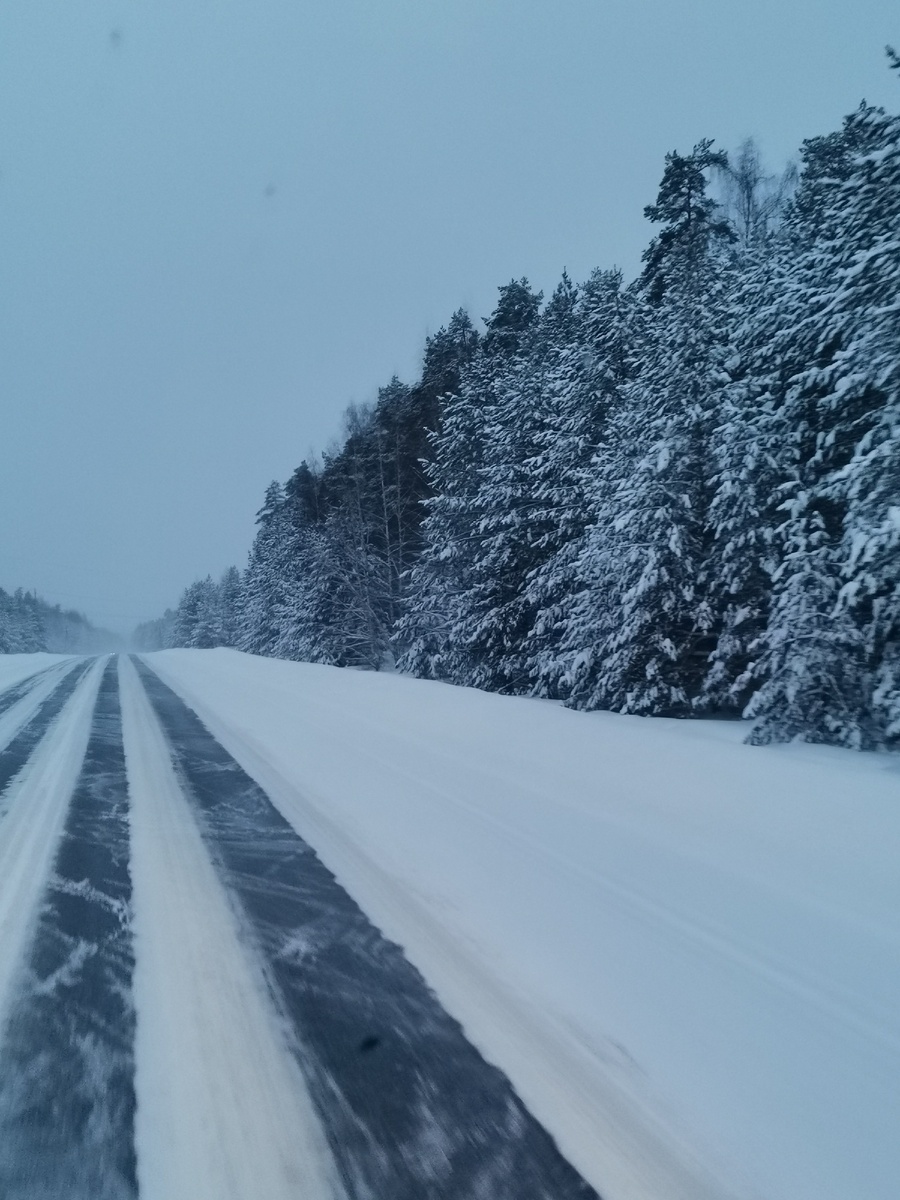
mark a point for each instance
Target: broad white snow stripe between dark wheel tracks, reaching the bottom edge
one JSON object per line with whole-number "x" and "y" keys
{"x": 224, "y": 1113}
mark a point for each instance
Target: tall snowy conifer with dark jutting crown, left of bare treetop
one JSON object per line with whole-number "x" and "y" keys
{"x": 650, "y": 548}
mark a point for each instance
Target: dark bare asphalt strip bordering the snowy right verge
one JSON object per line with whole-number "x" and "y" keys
{"x": 411, "y": 1109}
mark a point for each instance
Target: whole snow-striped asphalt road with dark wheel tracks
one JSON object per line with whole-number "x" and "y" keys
{"x": 191, "y": 1006}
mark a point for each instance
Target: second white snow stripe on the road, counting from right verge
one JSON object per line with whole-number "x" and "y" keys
{"x": 33, "y": 823}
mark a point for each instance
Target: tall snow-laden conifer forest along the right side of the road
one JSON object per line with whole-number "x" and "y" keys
{"x": 675, "y": 497}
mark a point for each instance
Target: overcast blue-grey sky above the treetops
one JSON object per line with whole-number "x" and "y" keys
{"x": 221, "y": 223}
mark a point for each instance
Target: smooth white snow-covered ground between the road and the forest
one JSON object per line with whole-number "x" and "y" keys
{"x": 685, "y": 952}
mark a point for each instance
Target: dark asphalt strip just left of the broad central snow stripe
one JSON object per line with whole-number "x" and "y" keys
{"x": 67, "y": 1057}
